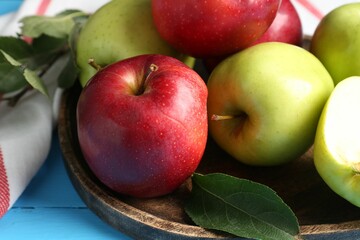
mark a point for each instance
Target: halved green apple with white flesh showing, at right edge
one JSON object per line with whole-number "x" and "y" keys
{"x": 337, "y": 142}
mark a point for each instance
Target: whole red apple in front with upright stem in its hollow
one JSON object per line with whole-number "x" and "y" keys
{"x": 142, "y": 124}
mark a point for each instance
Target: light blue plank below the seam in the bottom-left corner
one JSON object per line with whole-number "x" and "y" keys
{"x": 55, "y": 224}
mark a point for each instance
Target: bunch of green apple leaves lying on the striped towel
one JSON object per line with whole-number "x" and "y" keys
{"x": 23, "y": 64}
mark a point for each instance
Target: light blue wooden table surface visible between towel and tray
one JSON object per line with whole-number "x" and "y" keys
{"x": 50, "y": 208}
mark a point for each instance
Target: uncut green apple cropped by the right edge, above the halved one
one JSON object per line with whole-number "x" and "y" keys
{"x": 336, "y": 41}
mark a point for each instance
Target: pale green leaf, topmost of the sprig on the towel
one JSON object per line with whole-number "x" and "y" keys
{"x": 58, "y": 26}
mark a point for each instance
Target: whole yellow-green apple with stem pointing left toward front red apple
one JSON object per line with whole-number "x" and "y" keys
{"x": 276, "y": 91}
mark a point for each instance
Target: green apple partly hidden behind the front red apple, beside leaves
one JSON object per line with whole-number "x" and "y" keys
{"x": 120, "y": 29}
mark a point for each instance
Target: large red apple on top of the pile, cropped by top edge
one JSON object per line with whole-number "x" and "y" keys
{"x": 208, "y": 28}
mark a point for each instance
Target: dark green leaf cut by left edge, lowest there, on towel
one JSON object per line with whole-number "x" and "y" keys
{"x": 11, "y": 74}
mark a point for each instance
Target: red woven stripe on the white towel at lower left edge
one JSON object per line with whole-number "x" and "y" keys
{"x": 4, "y": 187}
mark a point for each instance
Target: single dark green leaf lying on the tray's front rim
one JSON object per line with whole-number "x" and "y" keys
{"x": 240, "y": 207}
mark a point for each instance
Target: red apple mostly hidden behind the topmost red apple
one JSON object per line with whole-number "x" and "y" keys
{"x": 286, "y": 27}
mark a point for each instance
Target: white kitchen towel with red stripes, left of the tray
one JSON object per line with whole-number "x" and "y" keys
{"x": 26, "y": 129}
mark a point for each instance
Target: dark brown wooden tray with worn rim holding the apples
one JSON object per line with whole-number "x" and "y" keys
{"x": 318, "y": 209}
